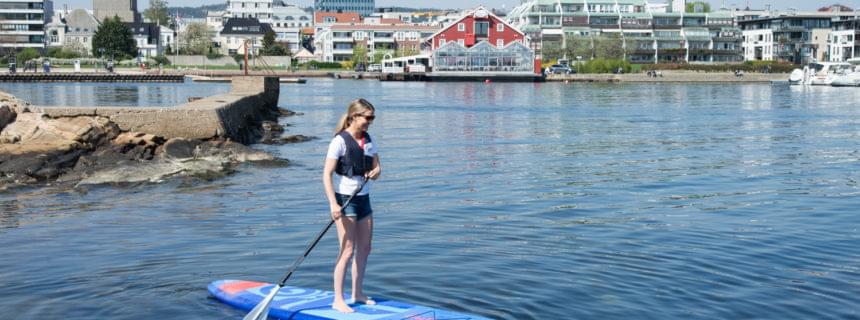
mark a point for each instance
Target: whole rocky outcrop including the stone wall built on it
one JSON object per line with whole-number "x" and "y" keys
{"x": 94, "y": 145}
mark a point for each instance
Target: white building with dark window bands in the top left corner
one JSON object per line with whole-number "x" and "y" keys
{"x": 22, "y": 24}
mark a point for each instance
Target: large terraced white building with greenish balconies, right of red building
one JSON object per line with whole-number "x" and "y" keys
{"x": 628, "y": 29}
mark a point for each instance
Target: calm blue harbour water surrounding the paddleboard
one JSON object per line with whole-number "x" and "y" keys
{"x": 513, "y": 201}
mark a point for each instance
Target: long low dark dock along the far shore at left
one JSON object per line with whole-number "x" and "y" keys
{"x": 90, "y": 77}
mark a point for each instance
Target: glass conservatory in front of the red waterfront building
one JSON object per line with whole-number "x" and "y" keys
{"x": 484, "y": 57}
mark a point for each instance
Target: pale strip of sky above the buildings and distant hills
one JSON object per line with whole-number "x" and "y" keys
{"x": 802, "y": 5}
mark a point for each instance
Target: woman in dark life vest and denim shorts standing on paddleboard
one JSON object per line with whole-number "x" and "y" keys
{"x": 353, "y": 159}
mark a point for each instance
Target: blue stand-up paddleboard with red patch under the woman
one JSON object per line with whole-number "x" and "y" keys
{"x": 299, "y": 303}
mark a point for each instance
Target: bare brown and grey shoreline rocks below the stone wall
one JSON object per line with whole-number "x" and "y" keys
{"x": 37, "y": 148}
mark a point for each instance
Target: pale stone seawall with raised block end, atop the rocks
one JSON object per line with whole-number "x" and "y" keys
{"x": 235, "y": 115}
